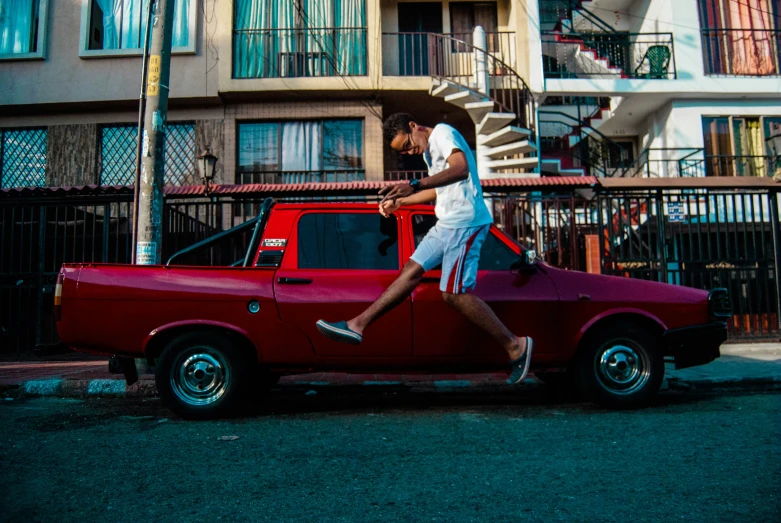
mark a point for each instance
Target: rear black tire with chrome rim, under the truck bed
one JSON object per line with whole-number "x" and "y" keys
{"x": 202, "y": 375}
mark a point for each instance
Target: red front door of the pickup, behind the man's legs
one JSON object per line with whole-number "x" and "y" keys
{"x": 527, "y": 304}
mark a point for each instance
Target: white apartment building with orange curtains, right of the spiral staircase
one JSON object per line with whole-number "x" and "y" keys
{"x": 659, "y": 87}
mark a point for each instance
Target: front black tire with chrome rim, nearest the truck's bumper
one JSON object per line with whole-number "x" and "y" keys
{"x": 620, "y": 366}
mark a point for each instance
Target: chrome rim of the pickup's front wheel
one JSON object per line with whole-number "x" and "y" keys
{"x": 621, "y": 369}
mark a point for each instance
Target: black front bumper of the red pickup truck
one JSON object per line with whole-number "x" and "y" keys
{"x": 695, "y": 345}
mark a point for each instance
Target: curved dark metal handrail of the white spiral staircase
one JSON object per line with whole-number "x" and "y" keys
{"x": 504, "y": 102}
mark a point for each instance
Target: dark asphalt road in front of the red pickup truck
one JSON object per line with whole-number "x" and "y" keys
{"x": 353, "y": 455}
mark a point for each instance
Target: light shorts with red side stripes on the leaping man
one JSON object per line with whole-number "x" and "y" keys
{"x": 458, "y": 250}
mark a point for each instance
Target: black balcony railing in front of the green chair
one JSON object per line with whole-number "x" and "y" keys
{"x": 609, "y": 55}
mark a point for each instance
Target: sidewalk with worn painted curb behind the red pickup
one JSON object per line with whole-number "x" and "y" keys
{"x": 741, "y": 366}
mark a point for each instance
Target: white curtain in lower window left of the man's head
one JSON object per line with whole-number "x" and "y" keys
{"x": 300, "y": 150}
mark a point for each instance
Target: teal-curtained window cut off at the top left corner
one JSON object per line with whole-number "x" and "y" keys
{"x": 19, "y": 26}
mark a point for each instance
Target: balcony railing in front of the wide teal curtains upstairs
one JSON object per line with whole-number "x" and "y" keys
{"x": 298, "y": 53}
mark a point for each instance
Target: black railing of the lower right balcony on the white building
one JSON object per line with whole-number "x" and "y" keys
{"x": 692, "y": 162}
